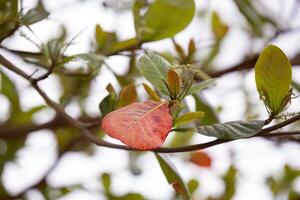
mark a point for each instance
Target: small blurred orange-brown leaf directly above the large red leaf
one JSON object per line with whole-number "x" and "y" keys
{"x": 127, "y": 95}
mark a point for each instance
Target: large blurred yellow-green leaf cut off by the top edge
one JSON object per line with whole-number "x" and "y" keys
{"x": 164, "y": 19}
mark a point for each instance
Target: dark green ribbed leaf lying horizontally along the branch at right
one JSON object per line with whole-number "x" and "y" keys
{"x": 232, "y": 130}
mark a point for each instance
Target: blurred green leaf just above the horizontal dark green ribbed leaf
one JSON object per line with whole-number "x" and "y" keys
{"x": 211, "y": 116}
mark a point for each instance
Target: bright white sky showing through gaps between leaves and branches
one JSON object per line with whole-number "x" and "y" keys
{"x": 255, "y": 158}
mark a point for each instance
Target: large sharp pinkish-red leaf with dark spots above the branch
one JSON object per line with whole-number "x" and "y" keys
{"x": 143, "y": 125}
